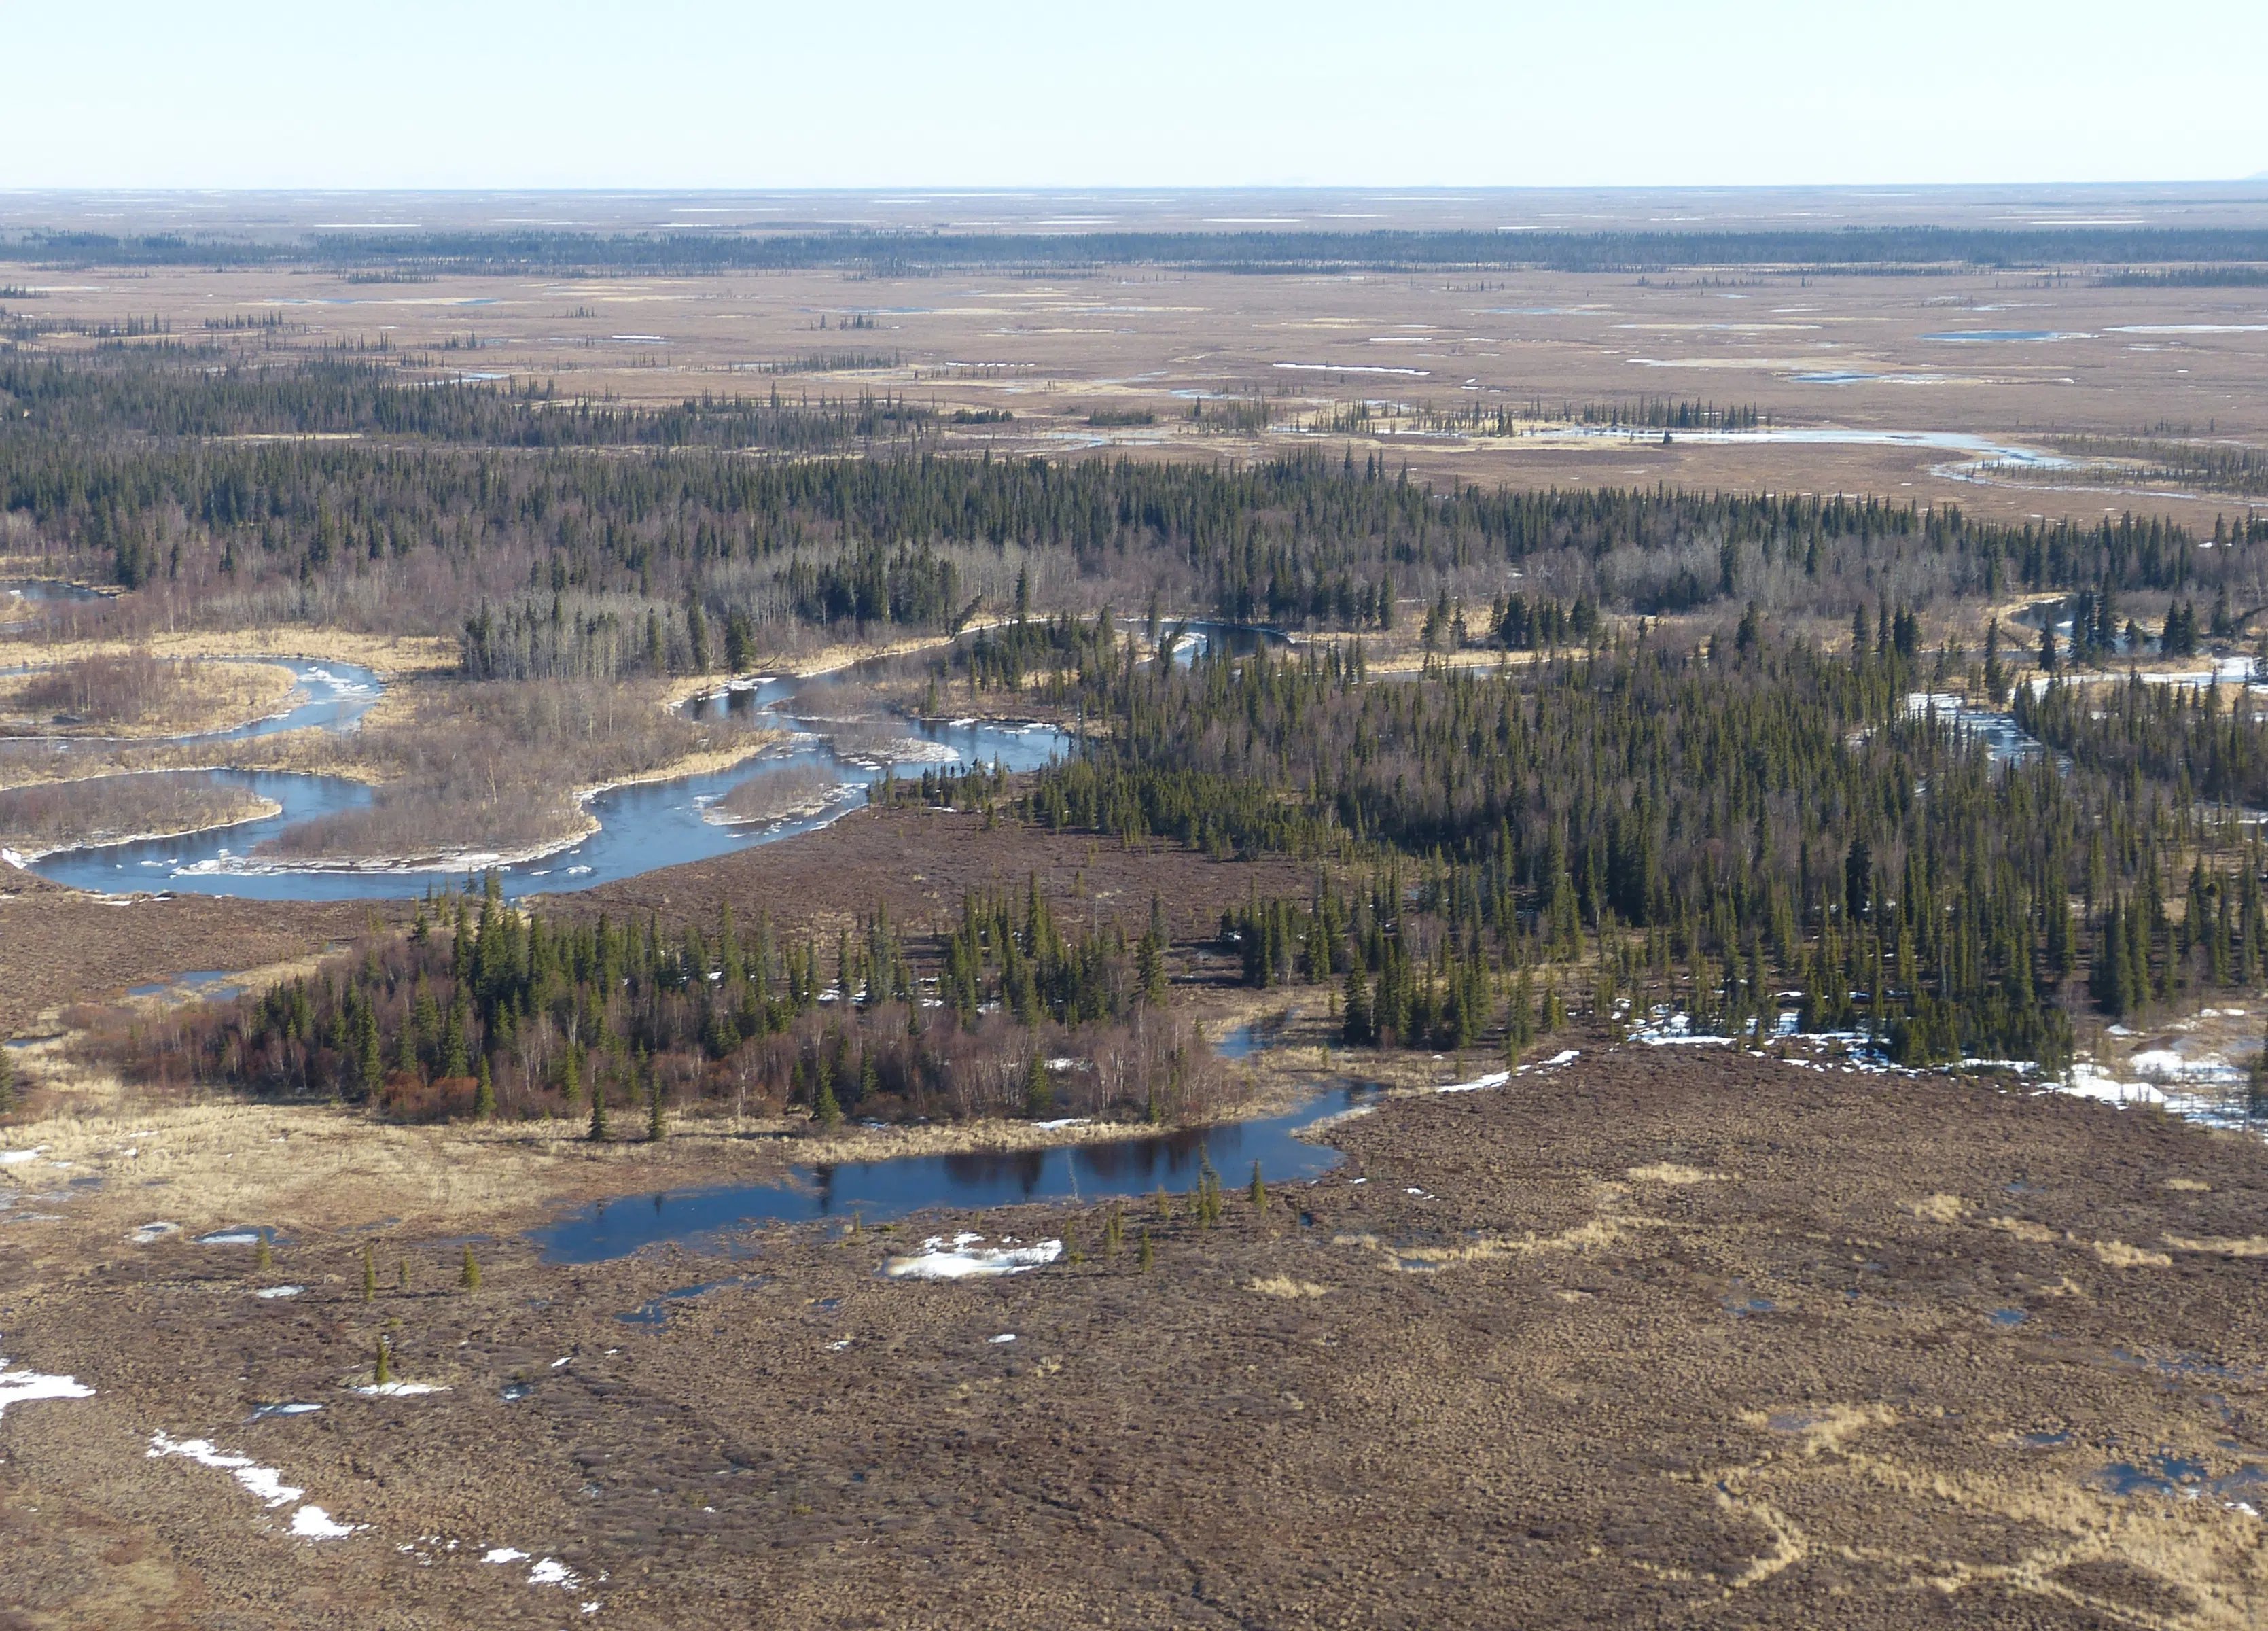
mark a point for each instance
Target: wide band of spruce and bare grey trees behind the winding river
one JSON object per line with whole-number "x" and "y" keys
{"x": 126, "y": 468}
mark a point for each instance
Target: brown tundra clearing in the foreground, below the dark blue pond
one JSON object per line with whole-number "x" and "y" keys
{"x": 1666, "y": 1335}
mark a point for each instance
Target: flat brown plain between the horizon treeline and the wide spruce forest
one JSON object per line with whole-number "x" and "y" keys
{"x": 1859, "y": 353}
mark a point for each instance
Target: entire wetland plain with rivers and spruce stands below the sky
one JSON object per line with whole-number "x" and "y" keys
{"x": 1217, "y": 931}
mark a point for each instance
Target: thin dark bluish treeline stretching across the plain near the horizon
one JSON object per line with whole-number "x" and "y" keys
{"x": 677, "y": 253}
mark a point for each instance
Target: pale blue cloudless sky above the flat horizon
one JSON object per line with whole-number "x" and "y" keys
{"x": 688, "y": 94}
